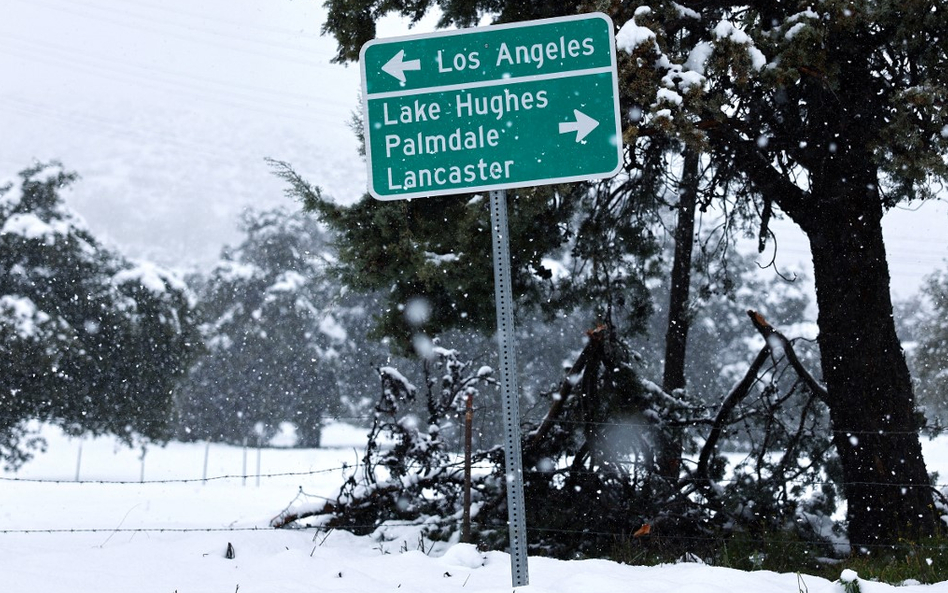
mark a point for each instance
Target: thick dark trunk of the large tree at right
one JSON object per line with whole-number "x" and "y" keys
{"x": 871, "y": 402}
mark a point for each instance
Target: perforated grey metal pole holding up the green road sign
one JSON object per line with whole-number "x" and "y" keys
{"x": 510, "y": 390}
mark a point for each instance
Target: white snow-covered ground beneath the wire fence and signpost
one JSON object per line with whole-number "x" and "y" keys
{"x": 165, "y": 537}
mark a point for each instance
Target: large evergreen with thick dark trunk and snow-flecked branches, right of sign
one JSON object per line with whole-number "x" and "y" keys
{"x": 830, "y": 113}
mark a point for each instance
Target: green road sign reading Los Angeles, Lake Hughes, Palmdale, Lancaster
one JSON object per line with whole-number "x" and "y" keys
{"x": 491, "y": 108}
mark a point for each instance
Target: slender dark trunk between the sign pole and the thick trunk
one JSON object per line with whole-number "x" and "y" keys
{"x": 676, "y": 337}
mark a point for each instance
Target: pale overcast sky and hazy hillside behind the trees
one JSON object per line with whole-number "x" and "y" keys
{"x": 167, "y": 108}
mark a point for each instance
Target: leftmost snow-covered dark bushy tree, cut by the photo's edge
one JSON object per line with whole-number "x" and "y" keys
{"x": 91, "y": 341}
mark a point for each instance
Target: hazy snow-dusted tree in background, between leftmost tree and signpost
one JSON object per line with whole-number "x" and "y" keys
{"x": 275, "y": 329}
